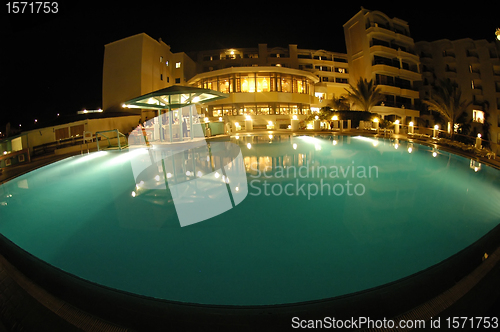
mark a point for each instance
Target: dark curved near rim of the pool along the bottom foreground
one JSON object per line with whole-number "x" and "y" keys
{"x": 138, "y": 312}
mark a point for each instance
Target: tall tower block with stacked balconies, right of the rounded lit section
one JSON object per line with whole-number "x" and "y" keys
{"x": 380, "y": 49}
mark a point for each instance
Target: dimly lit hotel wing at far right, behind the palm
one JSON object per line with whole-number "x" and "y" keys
{"x": 475, "y": 66}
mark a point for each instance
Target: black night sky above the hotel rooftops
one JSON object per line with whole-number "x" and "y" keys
{"x": 52, "y": 63}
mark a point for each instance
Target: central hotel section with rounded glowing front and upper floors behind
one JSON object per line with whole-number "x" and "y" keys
{"x": 270, "y": 84}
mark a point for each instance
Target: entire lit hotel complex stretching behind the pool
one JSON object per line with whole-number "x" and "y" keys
{"x": 273, "y": 84}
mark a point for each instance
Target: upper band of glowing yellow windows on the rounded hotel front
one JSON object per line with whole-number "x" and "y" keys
{"x": 257, "y": 82}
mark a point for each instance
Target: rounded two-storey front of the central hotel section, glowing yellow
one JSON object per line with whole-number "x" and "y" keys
{"x": 266, "y": 94}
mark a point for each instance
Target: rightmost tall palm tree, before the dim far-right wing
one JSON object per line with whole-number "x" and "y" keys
{"x": 446, "y": 99}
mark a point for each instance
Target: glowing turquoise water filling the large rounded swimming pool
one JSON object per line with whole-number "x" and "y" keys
{"x": 323, "y": 217}
